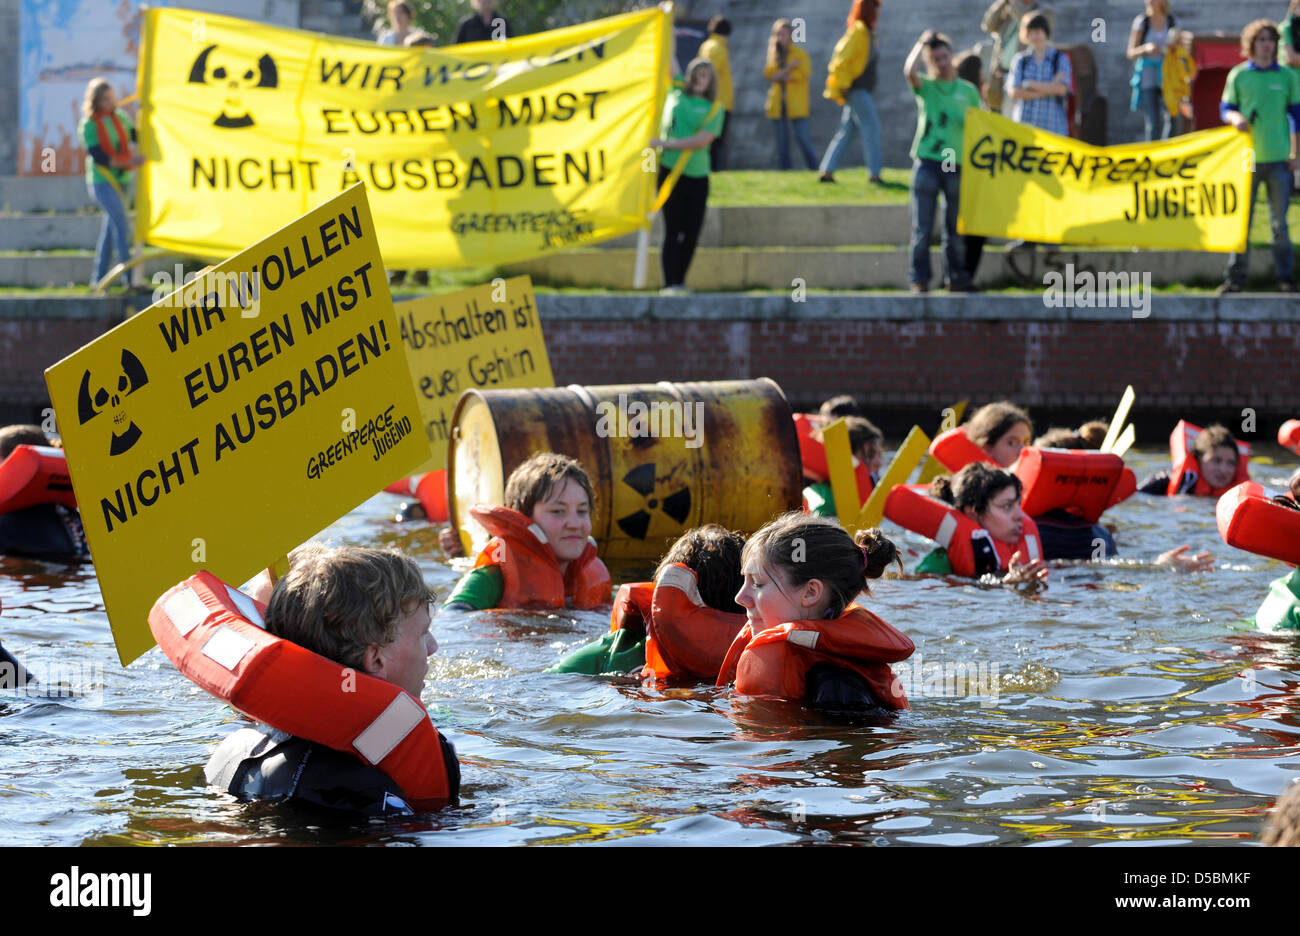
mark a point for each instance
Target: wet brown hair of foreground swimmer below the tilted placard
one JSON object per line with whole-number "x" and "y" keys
{"x": 337, "y": 603}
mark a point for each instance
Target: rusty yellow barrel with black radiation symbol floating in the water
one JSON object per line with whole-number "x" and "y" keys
{"x": 662, "y": 458}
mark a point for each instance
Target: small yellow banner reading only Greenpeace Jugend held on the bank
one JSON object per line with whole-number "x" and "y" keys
{"x": 1190, "y": 193}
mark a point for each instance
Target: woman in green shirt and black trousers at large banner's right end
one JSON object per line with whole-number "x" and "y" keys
{"x": 692, "y": 122}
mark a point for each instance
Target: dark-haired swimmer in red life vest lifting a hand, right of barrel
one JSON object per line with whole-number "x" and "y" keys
{"x": 993, "y": 500}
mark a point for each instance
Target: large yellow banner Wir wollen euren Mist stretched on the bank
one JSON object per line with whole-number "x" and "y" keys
{"x": 473, "y": 155}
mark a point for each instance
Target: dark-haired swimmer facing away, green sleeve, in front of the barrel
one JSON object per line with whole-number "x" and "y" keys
{"x": 678, "y": 627}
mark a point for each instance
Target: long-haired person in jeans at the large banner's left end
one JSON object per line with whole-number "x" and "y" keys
{"x": 109, "y": 135}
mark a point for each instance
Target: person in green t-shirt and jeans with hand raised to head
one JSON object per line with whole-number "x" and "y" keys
{"x": 937, "y": 153}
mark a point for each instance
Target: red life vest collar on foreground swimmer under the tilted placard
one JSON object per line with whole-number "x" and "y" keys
{"x": 214, "y": 635}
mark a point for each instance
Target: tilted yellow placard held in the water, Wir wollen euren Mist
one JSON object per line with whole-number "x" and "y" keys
{"x": 240, "y": 415}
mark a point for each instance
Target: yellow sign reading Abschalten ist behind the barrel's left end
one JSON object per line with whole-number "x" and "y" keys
{"x": 482, "y": 339}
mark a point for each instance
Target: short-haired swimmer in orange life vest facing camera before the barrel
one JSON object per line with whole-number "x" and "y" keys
{"x": 541, "y": 553}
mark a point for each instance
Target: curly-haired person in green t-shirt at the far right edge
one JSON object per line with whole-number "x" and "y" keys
{"x": 1263, "y": 99}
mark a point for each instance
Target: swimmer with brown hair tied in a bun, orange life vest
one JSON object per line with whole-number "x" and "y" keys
{"x": 805, "y": 640}
